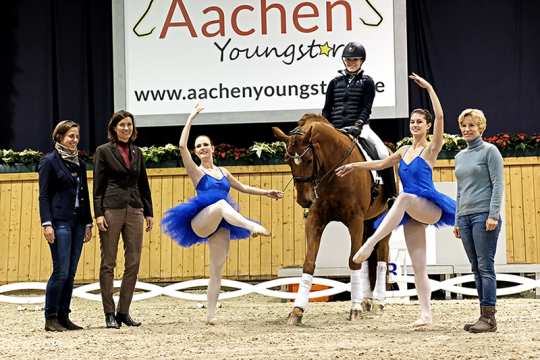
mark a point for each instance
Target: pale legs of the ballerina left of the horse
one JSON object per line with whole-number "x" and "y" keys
{"x": 205, "y": 224}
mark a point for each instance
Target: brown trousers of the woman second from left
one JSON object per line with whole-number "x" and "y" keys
{"x": 129, "y": 222}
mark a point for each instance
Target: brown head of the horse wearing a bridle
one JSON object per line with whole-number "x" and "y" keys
{"x": 302, "y": 158}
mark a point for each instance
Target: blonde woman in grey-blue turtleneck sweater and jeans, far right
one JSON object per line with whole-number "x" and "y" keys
{"x": 480, "y": 187}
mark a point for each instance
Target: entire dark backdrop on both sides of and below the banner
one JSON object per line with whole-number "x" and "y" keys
{"x": 56, "y": 64}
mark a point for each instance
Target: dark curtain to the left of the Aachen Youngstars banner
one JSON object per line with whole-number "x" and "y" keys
{"x": 56, "y": 64}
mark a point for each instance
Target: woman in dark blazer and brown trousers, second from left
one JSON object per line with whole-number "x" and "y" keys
{"x": 122, "y": 201}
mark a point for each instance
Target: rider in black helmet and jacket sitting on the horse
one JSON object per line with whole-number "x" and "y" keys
{"x": 349, "y": 98}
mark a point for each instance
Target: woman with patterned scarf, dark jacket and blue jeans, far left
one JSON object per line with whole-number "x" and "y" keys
{"x": 65, "y": 216}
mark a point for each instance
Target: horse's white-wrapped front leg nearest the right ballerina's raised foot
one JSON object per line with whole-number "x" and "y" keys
{"x": 360, "y": 286}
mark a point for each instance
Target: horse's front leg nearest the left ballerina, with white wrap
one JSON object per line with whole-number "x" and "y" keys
{"x": 313, "y": 230}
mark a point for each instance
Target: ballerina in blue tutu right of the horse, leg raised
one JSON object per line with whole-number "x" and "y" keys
{"x": 419, "y": 204}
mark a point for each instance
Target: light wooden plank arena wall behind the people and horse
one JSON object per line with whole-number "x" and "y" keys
{"x": 24, "y": 254}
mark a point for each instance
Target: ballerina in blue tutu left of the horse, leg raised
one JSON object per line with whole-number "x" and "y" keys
{"x": 211, "y": 216}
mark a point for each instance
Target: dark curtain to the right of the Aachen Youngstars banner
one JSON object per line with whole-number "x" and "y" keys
{"x": 478, "y": 54}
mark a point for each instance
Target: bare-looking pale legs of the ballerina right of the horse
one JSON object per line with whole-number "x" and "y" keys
{"x": 422, "y": 212}
